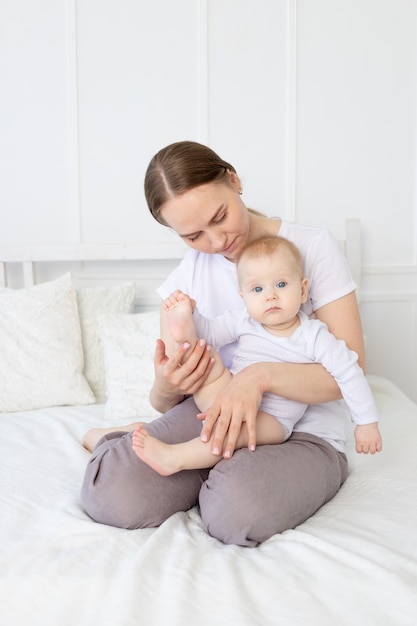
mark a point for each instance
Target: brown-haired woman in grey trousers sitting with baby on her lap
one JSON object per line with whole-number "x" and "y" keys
{"x": 249, "y": 497}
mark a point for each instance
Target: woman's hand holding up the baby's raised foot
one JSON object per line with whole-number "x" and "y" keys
{"x": 175, "y": 377}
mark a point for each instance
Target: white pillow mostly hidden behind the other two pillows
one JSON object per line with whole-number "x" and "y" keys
{"x": 92, "y": 302}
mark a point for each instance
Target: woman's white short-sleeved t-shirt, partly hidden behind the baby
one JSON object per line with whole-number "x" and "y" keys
{"x": 212, "y": 281}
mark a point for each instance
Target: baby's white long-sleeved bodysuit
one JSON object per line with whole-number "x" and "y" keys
{"x": 311, "y": 342}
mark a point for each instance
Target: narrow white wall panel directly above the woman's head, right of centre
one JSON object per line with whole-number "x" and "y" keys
{"x": 247, "y": 95}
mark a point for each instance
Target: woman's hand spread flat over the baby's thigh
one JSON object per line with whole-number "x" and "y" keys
{"x": 236, "y": 406}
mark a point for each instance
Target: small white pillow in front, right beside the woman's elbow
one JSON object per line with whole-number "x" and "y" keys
{"x": 129, "y": 346}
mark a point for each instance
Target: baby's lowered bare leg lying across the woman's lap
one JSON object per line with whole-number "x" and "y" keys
{"x": 168, "y": 459}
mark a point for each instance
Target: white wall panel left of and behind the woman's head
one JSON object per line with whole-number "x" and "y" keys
{"x": 138, "y": 85}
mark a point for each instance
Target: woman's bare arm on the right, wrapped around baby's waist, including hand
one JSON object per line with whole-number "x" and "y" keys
{"x": 308, "y": 383}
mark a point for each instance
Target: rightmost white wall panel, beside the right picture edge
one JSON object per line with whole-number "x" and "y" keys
{"x": 356, "y": 124}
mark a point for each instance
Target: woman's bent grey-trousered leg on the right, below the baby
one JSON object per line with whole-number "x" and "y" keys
{"x": 255, "y": 495}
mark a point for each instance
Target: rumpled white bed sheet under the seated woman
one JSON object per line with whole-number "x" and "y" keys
{"x": 354, "y": 562}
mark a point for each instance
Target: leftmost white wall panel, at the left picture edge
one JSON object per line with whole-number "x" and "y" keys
{"x": 33, "y": 122}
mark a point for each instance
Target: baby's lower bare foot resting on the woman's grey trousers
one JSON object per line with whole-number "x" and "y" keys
{"x": 161, "y": 457}
